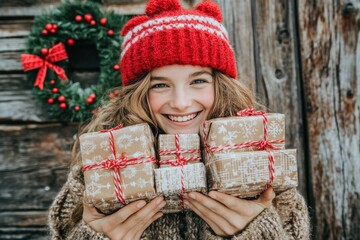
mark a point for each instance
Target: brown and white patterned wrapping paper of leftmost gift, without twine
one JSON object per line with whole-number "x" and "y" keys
{"x": 137, "y": 181}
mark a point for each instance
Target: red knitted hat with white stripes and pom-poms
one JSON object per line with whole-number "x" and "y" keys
{"x": 168, "y": 35}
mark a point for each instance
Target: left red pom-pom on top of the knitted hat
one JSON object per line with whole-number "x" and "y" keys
{"x": 155, "y": 7}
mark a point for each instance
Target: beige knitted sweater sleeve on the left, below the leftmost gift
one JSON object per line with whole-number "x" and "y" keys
{"x": 61, "y": 223}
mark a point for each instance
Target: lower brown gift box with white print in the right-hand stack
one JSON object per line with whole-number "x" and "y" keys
{"x": 246, "y": 174}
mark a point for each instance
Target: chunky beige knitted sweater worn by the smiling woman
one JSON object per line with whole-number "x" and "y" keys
{"x": 286, "y": 219}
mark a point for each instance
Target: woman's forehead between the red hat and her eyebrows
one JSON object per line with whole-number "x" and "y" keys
{"x": 178, "y": 70}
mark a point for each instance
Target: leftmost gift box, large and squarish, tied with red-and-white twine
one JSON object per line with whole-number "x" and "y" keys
{"x": 118, "y": 166}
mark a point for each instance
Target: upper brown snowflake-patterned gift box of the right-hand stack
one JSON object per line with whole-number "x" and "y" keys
{"x": 242, "y": 133}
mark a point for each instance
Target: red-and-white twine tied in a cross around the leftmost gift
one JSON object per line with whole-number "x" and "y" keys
{"x": 117, "y": 163}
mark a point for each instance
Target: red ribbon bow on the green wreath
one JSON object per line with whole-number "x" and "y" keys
{"x": 56, "y": 53}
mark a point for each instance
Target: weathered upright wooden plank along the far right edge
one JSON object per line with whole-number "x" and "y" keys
{"x": 329, "y": 33}
